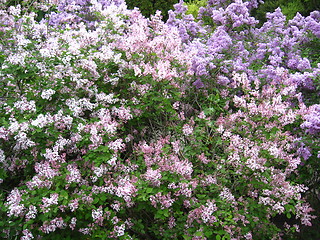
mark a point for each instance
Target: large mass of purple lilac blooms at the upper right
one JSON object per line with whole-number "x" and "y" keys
{"x": 234, "y": 36}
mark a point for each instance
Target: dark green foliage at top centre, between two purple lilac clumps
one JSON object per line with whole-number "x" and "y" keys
{"x": 149, "y": 7}
